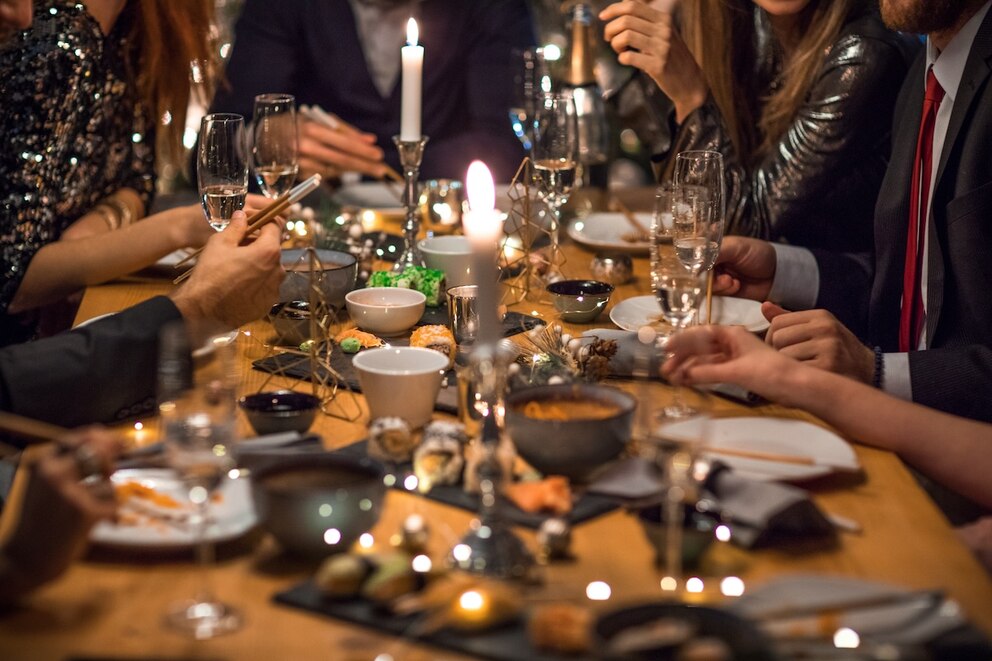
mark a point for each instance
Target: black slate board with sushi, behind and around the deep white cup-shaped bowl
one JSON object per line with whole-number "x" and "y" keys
{"x": 298, "y": 367}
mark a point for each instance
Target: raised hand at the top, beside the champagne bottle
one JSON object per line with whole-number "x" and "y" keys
{"x": 643, "y": 35}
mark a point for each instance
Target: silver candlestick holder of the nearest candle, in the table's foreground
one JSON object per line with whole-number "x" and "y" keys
{"x": 490, "y": 548}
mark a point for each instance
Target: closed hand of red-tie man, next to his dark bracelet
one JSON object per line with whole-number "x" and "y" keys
{"x": 817, "y": 338}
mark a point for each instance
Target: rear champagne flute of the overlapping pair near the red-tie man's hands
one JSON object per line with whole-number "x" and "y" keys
{"x": 698, "y": 211}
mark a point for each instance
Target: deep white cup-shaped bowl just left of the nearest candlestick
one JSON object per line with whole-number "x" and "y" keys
{"x": 401, "y": 381}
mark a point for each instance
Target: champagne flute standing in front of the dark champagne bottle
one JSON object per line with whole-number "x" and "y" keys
{"x": 555, "y": 156}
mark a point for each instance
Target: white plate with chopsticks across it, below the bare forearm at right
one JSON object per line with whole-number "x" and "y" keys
{"x": 776, "y": 435}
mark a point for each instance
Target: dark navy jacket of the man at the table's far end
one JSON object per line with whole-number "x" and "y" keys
{"x": 312, "y": 49}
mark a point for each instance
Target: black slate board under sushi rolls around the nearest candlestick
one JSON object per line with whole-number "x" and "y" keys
{"x": 586, "y": 507}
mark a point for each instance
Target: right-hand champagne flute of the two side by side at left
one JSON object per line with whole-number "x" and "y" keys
{"x": 275, "y": 143}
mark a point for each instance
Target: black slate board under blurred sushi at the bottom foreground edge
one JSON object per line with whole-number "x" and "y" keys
{"x": 506, "y": 643}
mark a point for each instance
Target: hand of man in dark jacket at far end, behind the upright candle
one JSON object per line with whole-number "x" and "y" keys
{"x": 329, "y": 152}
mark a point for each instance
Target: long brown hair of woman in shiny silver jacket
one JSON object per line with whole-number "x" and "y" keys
{"x": 721, "y": 35}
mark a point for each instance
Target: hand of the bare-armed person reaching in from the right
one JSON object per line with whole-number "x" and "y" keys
{"x": 731, "y": 354}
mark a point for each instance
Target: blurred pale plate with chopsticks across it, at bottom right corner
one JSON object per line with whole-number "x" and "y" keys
{"x": 916, "y": 620}
